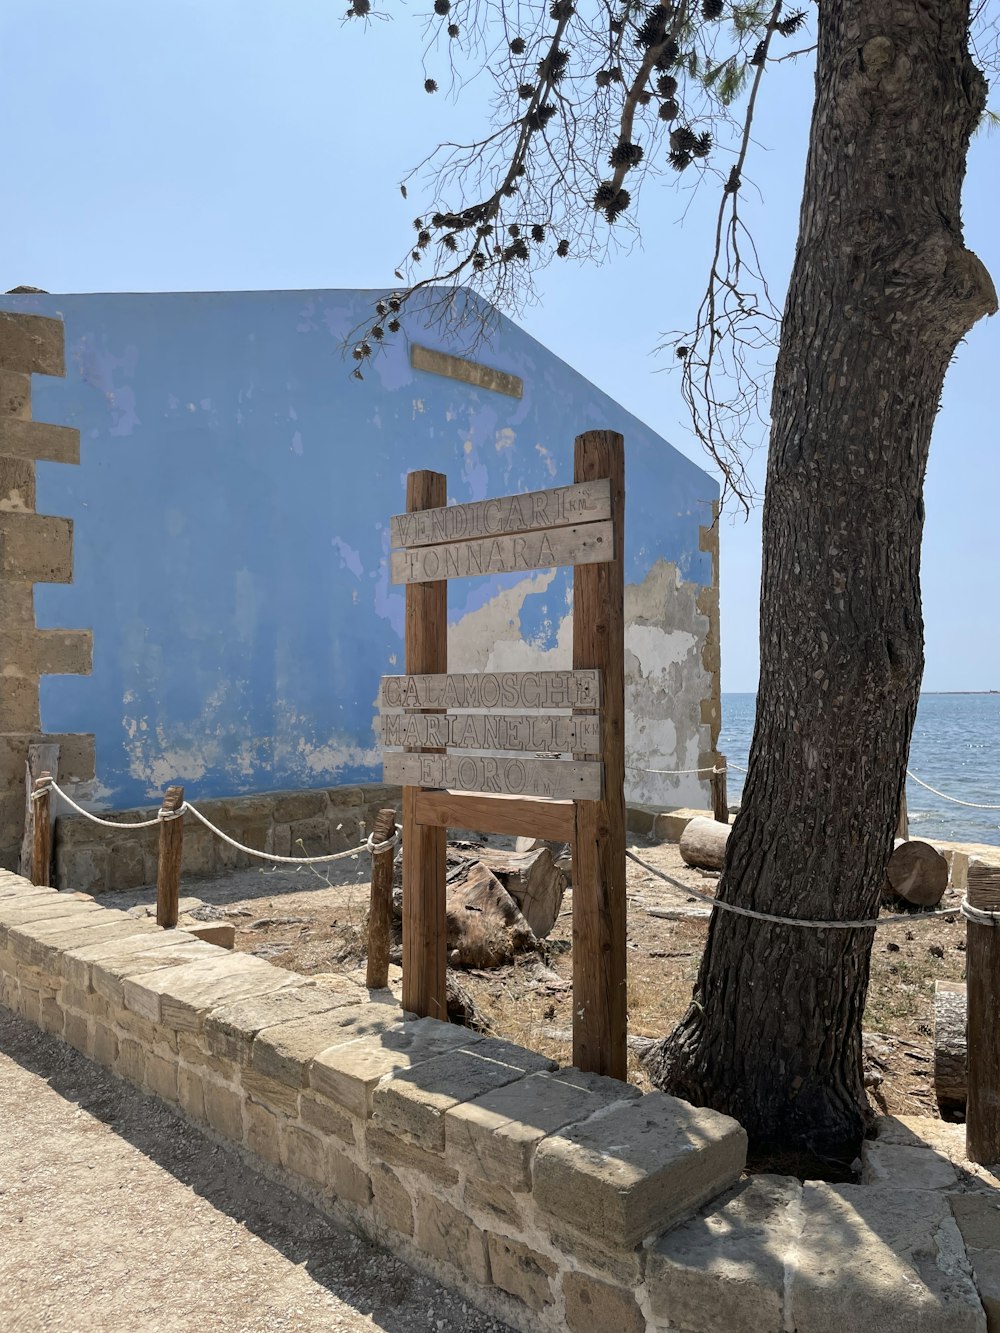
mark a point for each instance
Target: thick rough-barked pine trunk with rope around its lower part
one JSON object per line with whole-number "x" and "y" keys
{"x": 882, "y": 293}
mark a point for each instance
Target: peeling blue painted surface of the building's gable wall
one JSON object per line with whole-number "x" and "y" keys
{"x": 231, "y": 523}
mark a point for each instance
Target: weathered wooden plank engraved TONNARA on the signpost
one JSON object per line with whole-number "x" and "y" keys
{"x": 586, "y": 545}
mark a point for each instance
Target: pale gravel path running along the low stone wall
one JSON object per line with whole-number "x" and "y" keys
{"x": 117, "y": 1215}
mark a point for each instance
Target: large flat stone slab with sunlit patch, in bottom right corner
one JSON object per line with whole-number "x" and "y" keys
{"x": 873, "y": 1259}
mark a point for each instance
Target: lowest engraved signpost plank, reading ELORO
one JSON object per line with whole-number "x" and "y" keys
{"x": 553, "y": 778}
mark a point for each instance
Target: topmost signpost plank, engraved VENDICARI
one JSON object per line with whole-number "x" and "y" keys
{"x": 562, "y": 507}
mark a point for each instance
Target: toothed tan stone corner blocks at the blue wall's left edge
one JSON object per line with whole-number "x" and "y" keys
{"x": 34, "y": 550}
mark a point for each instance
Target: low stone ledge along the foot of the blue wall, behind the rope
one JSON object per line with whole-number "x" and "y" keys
{"x": 97, "y": 859}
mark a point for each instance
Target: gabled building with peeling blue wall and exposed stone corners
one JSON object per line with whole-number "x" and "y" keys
{"x": 195, "y": 502}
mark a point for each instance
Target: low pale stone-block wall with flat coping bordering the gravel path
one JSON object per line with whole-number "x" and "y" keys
{"x": 553, "y": 1199}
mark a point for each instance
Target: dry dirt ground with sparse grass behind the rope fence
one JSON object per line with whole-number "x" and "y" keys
{"x": 313, "y": 920}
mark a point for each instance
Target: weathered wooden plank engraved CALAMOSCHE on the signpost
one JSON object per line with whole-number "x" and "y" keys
{"x": 507, "y": 690}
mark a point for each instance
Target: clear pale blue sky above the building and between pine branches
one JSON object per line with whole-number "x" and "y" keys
{"x": 229, "y": 145}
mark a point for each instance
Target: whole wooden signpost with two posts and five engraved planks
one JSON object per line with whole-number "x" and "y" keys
{"x": 477, "y": 751}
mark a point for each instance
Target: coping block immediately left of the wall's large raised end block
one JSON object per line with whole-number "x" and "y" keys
{"x": 495, "y": 1136}
